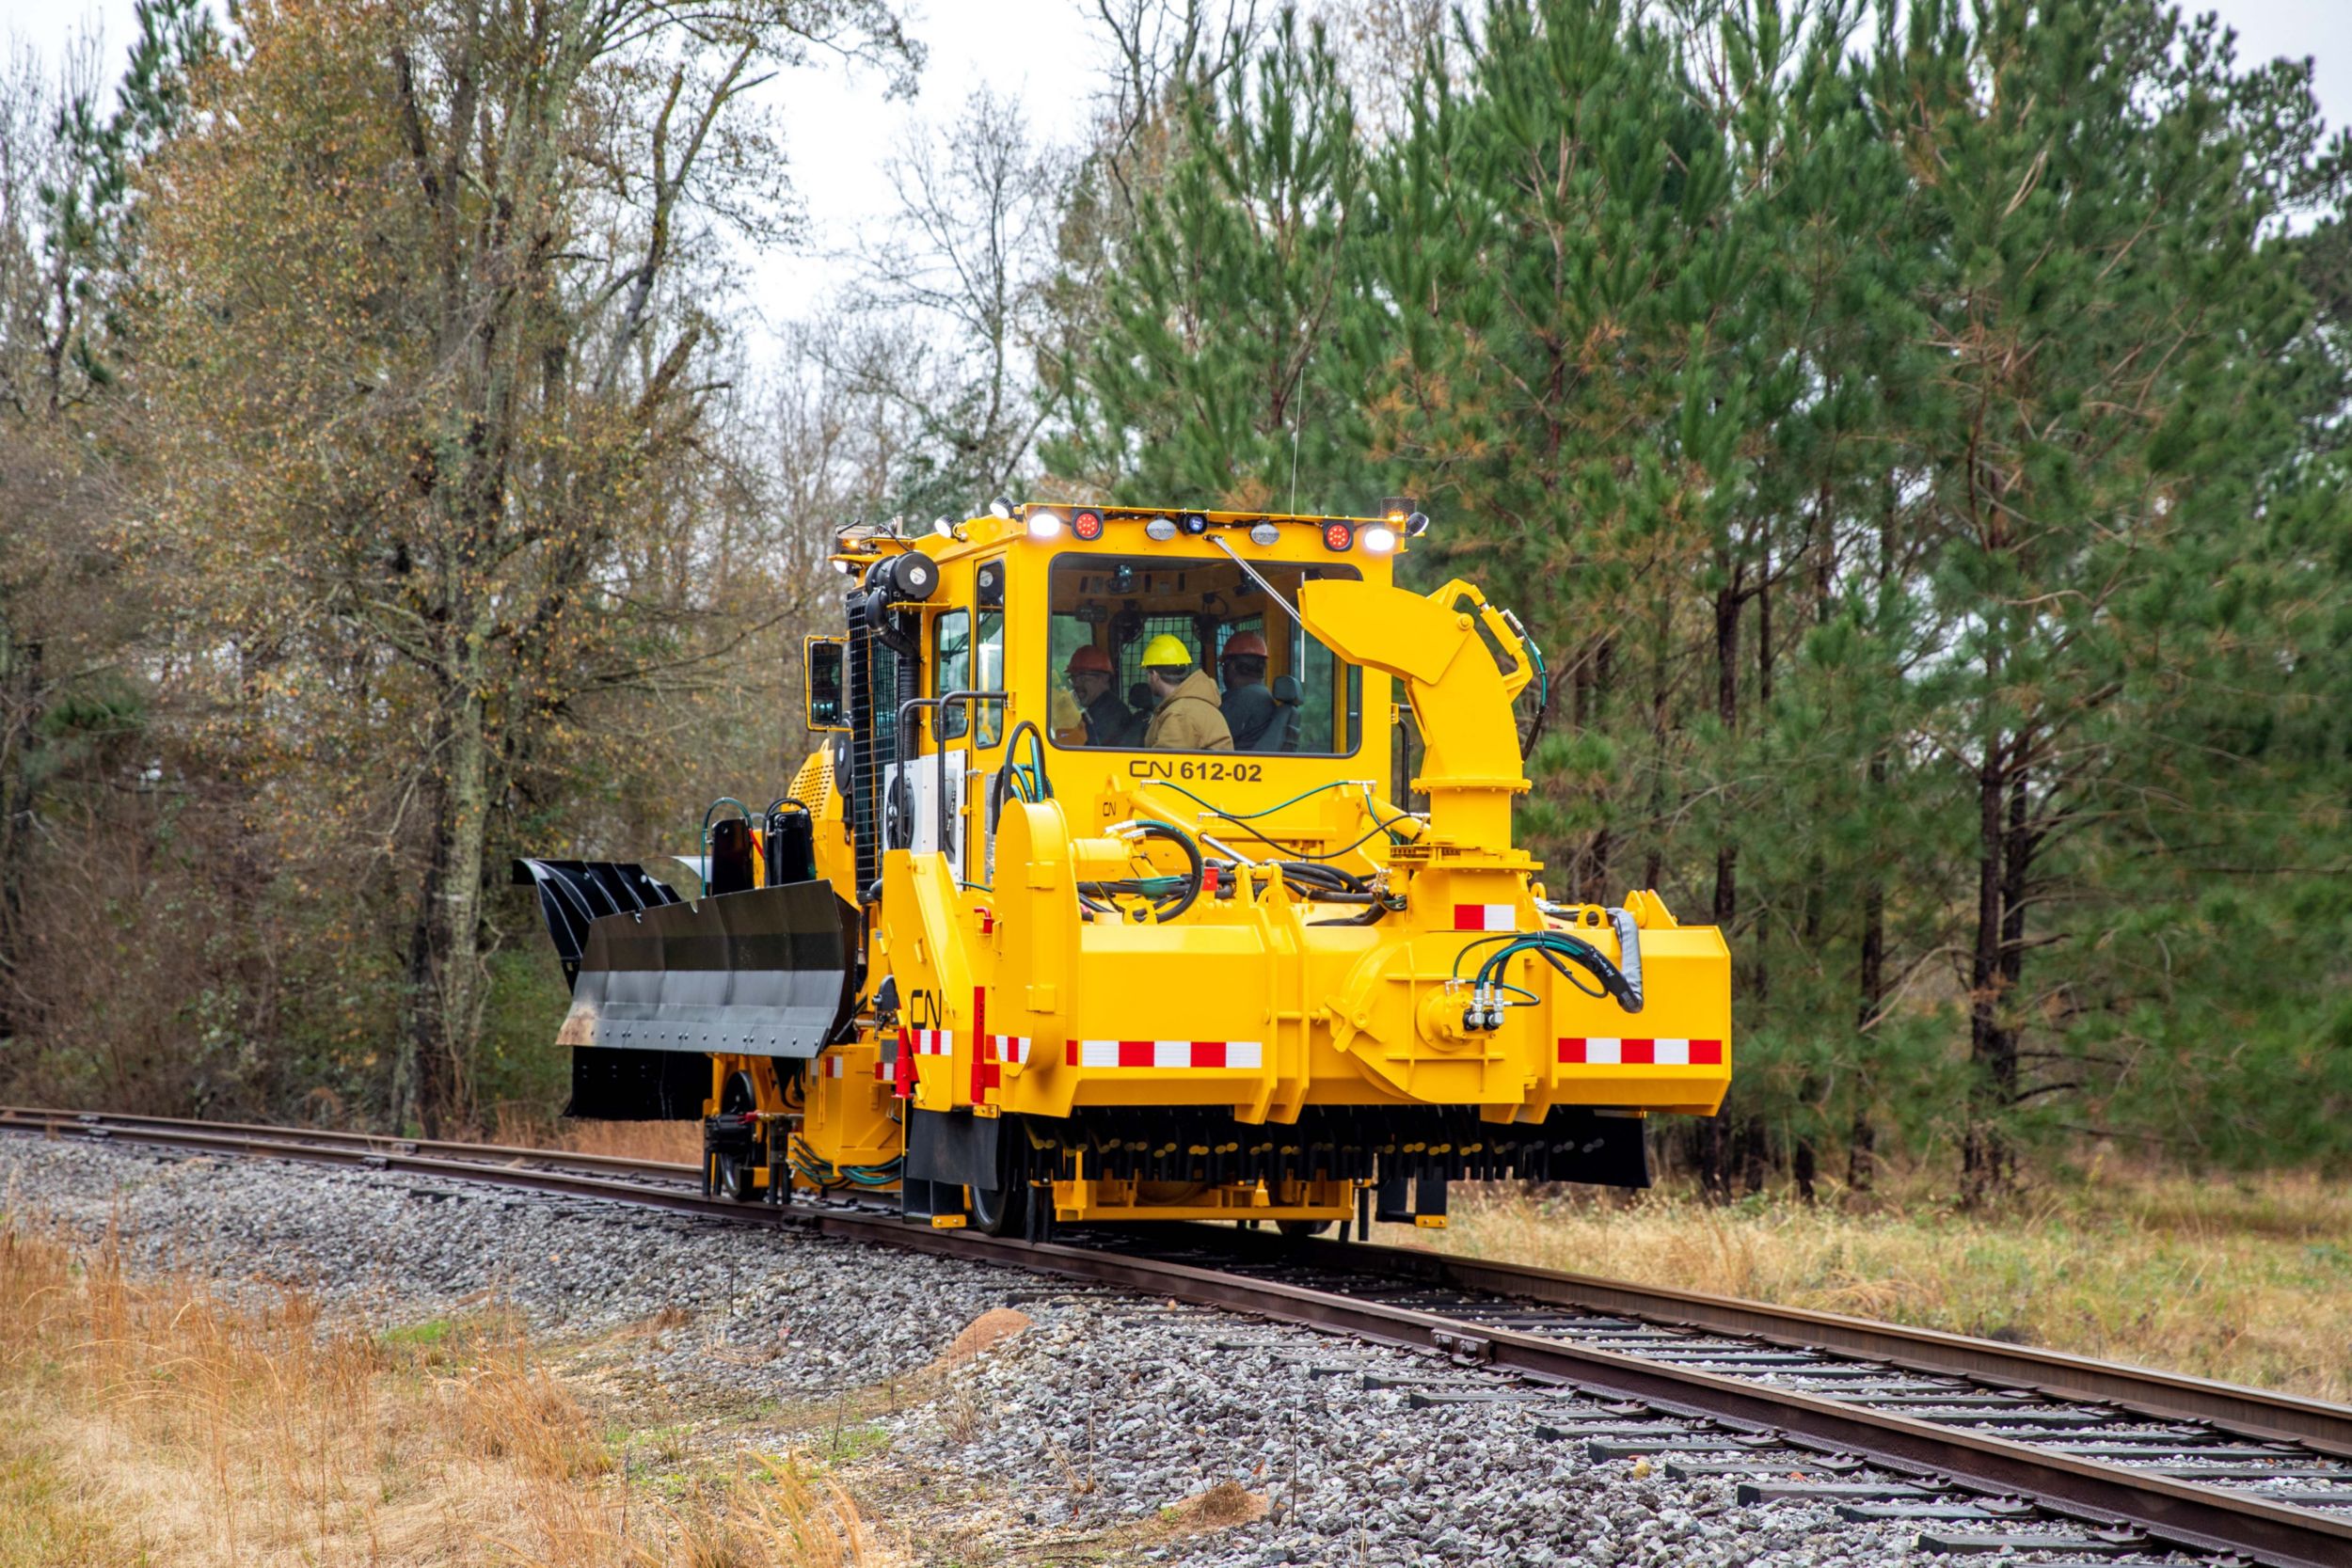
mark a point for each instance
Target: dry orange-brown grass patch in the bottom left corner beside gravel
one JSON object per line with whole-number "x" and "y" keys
{"x": 152, "y": 1421}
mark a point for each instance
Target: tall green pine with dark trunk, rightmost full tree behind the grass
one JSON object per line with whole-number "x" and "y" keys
{"x": 2109, "y": 319}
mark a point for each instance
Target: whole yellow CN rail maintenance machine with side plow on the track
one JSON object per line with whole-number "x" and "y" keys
{"x": 1154, "y": 866}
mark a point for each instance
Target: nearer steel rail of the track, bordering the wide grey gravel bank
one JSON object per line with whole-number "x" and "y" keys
{"x": 2167, "y": 1510}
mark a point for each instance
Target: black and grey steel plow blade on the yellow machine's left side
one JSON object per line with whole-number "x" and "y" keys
{"x": 763, "y": 972}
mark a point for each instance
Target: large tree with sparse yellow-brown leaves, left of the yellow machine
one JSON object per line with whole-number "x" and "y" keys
{"x": 434, "y": 276}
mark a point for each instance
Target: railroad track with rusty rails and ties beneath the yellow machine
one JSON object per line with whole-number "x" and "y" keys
{"x": 1986, "y": 1447}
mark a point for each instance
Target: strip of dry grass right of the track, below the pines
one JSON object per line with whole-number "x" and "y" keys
{"x": 2247, "y": 1280}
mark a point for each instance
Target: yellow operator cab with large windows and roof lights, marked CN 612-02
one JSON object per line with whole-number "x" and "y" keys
{"x": 1017, "y": 662}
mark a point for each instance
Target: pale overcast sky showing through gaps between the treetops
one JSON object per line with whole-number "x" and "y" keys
{"x": 841, "y": 128}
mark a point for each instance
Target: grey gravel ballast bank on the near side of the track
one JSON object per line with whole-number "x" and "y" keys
{"x": 1097, "y": 1419}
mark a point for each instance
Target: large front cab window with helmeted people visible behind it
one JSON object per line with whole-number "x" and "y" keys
{"x": 1248, "y": 671}
